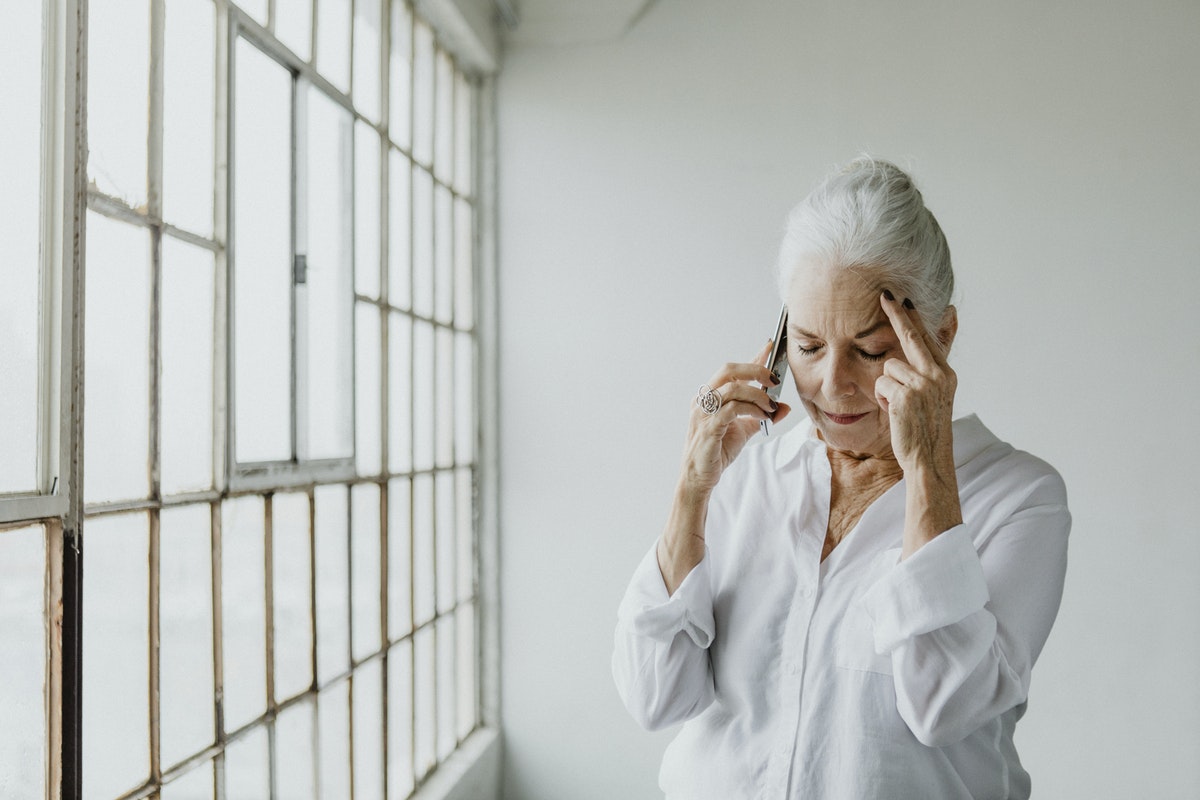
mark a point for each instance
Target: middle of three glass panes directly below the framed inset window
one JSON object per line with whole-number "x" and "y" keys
{"x": 291, "y": 551}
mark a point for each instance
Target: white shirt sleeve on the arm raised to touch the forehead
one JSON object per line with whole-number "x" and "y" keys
{"x": 964, "y": 625}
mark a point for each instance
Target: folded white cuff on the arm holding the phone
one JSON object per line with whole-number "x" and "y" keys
{"x": 652, "y": 613}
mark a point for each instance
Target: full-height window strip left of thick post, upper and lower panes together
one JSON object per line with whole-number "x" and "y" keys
{"x": 37, "y": 227}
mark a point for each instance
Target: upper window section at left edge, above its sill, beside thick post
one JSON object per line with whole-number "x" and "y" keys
{"x": 32, "y": 230}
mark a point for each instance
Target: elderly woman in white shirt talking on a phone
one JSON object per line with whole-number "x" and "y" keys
{"x": 850, "y": 610}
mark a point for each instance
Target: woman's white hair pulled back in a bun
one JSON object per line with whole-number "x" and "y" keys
{"x": 871, "y": 218}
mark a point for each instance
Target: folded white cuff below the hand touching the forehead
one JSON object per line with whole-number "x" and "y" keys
{"x": 940, "y": 585}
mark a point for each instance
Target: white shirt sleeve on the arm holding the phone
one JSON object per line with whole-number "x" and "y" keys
{"x": 661, "y": 657}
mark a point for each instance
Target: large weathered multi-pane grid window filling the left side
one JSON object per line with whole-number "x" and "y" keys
{"x": 280, "y": 438}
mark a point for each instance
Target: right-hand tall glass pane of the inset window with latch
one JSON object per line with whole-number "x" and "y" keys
{"x": 328, "y": 293}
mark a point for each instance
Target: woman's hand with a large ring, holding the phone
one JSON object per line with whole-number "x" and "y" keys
{"x": 715, "y": 441}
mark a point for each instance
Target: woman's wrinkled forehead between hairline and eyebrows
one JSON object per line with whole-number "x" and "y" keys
{"x": 833, "y": 302}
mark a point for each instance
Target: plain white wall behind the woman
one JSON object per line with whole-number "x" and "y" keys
{"x": 643, "y": 190}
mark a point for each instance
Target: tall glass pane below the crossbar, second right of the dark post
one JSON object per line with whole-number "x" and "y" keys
{"x": 185, "y": 631}
